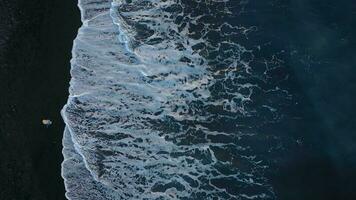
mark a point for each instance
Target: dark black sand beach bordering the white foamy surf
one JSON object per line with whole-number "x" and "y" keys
{"x": 36, "y": 41}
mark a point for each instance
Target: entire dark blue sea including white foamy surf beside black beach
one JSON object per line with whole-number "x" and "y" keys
{"x": 212, "y": 99}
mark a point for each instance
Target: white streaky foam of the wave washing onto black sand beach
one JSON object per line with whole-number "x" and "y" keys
{"x": 166, "y": 103}
